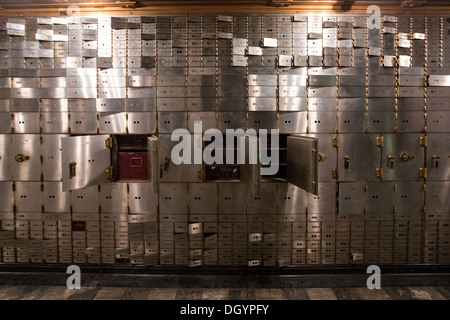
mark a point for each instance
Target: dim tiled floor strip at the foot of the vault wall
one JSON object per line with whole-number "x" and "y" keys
{"x": 124, "y": 293}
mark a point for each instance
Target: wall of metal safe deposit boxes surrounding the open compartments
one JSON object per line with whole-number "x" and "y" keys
{"x": 383, "y": 128}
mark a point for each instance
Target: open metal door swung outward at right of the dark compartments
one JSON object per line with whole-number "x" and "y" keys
{"x": 302, "y": 162}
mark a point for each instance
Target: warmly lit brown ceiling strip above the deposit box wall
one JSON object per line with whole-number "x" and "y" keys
{"x": 52, "y": 7}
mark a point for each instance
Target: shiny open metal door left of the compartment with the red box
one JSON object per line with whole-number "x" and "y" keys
{"x": 86, "y": 161}
